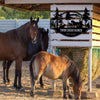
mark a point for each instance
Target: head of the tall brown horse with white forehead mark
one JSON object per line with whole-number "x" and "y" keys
{"x": 34, "y": 29}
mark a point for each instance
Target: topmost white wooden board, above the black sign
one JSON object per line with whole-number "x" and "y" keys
{"x": 71, "y": 7}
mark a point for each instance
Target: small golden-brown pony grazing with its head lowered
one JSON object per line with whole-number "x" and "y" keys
{"x": 55, "y": 67}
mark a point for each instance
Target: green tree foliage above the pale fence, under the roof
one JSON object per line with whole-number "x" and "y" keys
{"x": 9, "y": 13}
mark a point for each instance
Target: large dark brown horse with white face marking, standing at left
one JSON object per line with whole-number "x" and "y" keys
{"x": 14, "y": 45}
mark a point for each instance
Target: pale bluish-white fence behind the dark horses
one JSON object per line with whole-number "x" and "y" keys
{"x": 6, "y": 25}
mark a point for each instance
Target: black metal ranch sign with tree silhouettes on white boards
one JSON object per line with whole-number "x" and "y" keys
{"x": 71, "y": 23}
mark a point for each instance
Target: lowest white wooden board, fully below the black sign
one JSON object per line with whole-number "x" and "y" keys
{"x": 71, "y": 43}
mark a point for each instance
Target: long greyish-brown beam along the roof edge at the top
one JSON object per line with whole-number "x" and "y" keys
{"x": 49, "y": 1}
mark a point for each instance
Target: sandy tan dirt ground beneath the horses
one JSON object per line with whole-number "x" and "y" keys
{"x": 8, "y": 92}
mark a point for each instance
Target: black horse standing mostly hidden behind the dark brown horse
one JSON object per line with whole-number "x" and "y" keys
{"x": 41, "y": 45}
